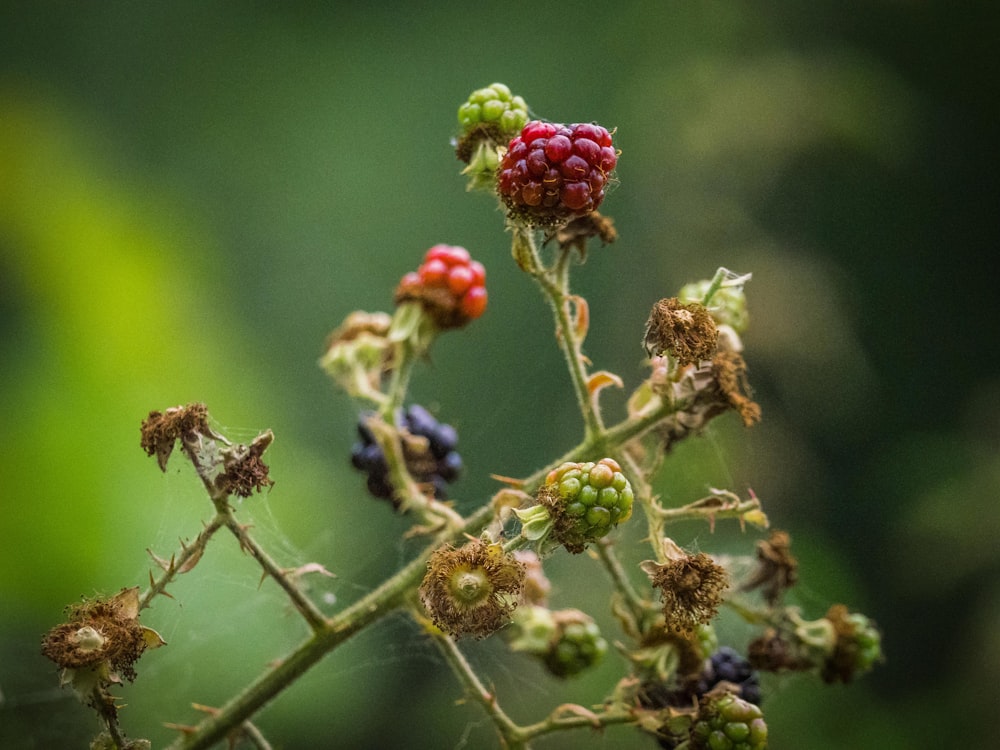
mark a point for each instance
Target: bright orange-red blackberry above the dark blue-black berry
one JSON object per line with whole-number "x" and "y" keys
{"x": 449, "y": 284}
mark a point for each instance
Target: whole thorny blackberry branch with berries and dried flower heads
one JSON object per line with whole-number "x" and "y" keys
{"x": 482, "y": 573}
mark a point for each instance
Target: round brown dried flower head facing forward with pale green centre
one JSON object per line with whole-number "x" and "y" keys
{"x": 473, "y": 589}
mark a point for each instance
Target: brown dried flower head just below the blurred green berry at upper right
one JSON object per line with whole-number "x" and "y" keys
{"x": 687, "y": 331}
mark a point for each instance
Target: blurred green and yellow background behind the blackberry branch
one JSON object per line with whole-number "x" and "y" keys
{"x": 192, "y": 195}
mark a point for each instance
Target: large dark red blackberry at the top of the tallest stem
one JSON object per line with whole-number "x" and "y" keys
{"x": 552, "y": 173}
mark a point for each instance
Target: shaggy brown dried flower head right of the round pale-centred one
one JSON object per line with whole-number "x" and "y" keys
{"x": 691, "y": 587}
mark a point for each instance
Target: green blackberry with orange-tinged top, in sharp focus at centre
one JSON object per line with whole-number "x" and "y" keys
{"x": 586, "y": 501}
